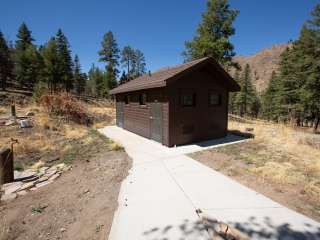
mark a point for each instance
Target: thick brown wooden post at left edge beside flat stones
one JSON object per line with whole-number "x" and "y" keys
{"x": 6, "y": 166}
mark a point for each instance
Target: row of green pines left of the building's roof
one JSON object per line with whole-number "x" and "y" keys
{"x": 51, "y": 66}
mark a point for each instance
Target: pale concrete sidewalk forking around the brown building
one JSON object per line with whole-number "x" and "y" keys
{"x": 159, "y": 198}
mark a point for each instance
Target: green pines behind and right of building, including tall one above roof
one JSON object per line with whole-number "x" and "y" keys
{"x": 293, "y": 94}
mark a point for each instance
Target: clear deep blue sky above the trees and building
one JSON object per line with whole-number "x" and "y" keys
{"x": 158, "y": 28}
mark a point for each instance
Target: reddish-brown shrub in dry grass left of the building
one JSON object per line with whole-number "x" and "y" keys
{"x": 67, "y": 106}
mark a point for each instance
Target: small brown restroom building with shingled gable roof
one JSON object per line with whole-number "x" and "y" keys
{"x": 177, "y": 105}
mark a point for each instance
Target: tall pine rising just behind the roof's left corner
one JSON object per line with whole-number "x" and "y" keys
{"x": 110, "y": 55}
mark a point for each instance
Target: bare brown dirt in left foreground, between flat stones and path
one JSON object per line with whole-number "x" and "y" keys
{"x": 79, "y": 205}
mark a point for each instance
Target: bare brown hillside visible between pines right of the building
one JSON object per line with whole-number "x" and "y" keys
{"x": 262, "y": 64}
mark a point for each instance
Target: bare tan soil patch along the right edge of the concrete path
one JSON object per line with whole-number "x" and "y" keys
{"x": 239, "y": 162}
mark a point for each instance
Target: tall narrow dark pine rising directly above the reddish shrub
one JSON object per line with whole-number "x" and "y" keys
{"x": 65, "y": 61}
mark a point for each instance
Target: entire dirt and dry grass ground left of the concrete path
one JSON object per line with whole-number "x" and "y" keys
{"x": 80, "y": 204}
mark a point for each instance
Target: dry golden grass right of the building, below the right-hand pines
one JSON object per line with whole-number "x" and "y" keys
{"x": 290, "y": 158}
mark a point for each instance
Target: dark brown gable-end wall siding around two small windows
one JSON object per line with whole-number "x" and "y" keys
{"x": 201, "y": 122}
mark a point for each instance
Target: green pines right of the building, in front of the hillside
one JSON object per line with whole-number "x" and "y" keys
{"x": 293, "y": 93}
